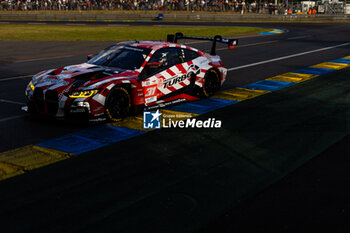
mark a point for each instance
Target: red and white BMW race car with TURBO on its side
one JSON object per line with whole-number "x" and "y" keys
{"x": 128, "y": 76}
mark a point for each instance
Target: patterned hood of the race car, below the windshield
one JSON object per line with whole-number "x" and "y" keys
{"x": 80, "y": 77}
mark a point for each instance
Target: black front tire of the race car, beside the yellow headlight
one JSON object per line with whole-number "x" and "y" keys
{"x": 117, "y": 104}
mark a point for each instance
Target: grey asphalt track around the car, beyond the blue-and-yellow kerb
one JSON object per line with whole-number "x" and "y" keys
{"x": 22, "y": 59}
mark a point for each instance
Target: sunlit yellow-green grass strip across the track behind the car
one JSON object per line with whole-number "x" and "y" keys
{"x": 106, "y": 33}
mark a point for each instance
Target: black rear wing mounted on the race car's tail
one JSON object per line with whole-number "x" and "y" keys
{"x": 231, "y": 43}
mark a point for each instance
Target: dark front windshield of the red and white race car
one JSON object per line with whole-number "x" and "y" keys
{"x": 124, "y": 57}
